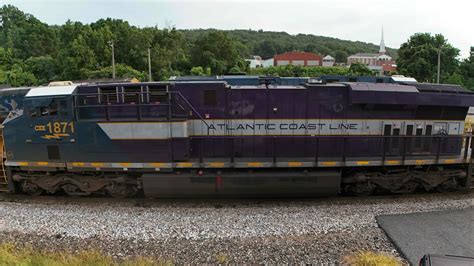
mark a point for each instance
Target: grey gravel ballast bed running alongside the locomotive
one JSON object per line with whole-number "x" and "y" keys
{"x": 199, "y": 231}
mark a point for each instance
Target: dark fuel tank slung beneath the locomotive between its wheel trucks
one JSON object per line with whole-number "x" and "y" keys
{"x": 242, "y": 184}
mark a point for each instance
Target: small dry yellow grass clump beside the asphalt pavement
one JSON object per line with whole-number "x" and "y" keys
{"x": 369, "y": 258}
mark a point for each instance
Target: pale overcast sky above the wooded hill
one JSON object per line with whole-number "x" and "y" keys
{"x": 357, "y": 20}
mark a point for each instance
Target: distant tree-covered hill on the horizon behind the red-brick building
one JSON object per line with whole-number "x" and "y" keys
{"x": 269, "y": 43}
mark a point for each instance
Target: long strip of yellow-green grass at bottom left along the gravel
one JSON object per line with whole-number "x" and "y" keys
{"x": 10, "y": 255}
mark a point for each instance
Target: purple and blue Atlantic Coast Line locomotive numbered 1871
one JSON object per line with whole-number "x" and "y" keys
{"x": 209, "y": 138}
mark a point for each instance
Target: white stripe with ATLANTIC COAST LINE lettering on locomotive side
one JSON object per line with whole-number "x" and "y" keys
{"x": 271, "y": 127}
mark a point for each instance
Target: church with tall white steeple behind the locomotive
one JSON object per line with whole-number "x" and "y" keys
{"x": 380, "y": 62}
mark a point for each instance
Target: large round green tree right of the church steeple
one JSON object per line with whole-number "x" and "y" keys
{"x": 418, "y": 57}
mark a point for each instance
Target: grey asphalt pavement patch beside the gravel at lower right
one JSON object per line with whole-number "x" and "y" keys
{"x": 440, "y": 232}
